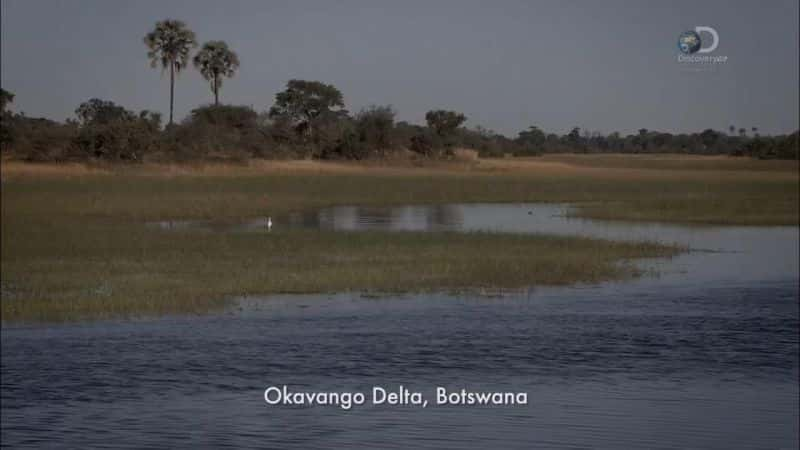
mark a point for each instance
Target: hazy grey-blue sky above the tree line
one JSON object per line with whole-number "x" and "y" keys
{"x": 601, "y": 65}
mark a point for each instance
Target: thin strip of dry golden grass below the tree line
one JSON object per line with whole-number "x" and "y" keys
{"x": 619, "y": 166}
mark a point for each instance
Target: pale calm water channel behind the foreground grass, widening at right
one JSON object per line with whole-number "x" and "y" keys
{"x": 739, "y": 254}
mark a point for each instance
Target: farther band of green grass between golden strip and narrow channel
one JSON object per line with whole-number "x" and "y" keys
{"x": 677, "y": 196}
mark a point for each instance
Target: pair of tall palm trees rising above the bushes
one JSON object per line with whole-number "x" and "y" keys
{"x": 170, "y": 45}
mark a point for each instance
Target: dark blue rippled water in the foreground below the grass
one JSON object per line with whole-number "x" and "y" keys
{"x": 703, "y": 356}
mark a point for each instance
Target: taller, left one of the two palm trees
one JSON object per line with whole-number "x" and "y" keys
{"x": 169, "y": 45}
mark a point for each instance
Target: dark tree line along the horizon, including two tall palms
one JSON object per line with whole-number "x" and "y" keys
{"x": 309, "y": 119}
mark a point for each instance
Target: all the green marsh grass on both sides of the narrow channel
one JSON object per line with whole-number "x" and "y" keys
{"x": 74, "y": 245}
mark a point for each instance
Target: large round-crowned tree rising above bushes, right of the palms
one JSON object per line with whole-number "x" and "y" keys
{"x": 305, "y": 103}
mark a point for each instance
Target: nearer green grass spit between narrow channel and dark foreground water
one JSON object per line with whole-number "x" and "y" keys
{"x": 90, "y": 272}
